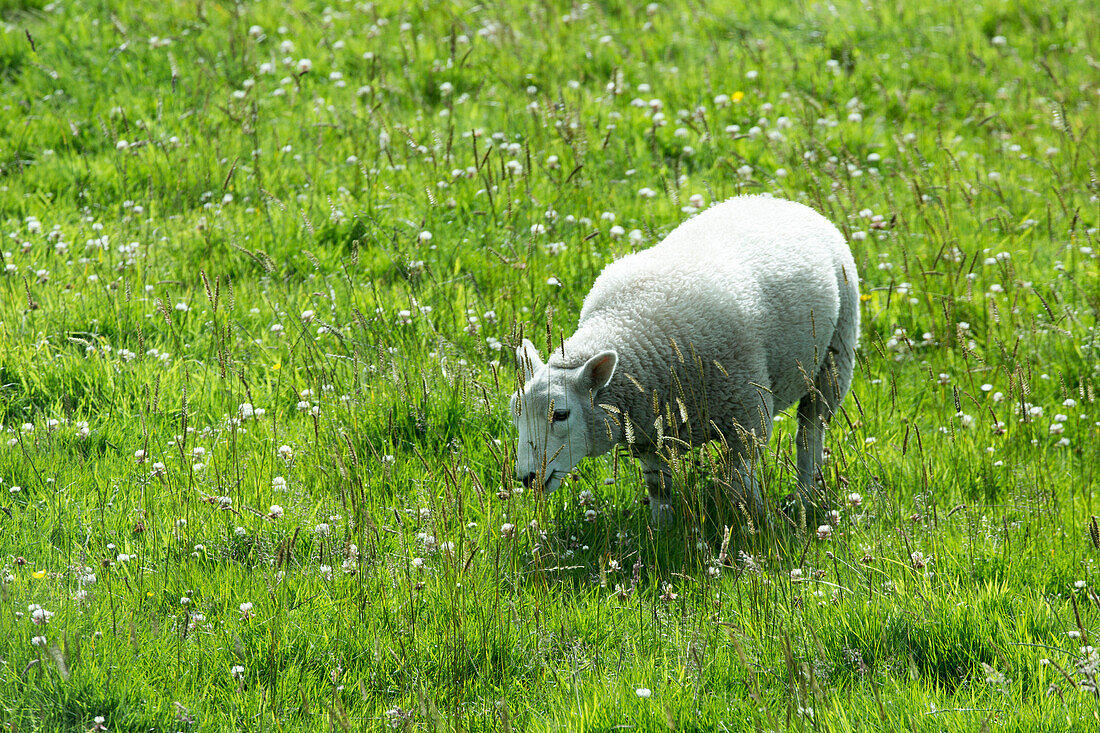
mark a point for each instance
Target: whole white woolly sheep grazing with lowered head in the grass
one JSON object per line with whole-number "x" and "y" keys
{"x": 740, "y": 313}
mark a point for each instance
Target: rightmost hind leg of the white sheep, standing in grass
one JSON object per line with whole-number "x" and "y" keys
{"x": 816, "y": 411}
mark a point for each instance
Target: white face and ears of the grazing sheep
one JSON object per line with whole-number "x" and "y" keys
{"x": 557, "y": 417}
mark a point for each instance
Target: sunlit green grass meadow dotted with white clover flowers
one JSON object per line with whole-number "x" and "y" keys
{"x": 263, "y": 270}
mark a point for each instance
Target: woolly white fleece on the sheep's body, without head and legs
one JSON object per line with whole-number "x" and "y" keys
{"x": 723, "y": 323}
